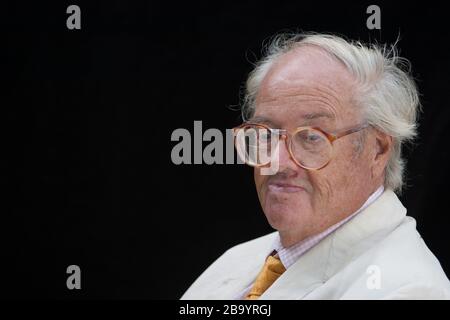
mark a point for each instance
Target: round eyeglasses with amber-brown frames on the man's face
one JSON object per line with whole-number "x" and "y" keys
{"x": 310, "y": 147}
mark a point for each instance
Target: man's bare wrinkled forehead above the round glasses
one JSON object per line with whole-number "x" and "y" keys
{"x": 307, "y": 81}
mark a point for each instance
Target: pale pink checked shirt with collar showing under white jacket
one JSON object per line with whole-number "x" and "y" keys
{"x": 291, "y": 254}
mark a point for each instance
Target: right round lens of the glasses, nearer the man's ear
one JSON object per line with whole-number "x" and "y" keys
{"x": 311, "y": 148}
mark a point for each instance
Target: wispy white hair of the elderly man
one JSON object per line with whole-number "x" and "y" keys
{"x": 385, "y": 91}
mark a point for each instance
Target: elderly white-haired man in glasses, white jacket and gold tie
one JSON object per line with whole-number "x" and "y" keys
{"x": 333, "y": 115}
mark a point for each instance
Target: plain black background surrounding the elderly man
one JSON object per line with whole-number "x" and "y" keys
{"x": 87, "y": 116}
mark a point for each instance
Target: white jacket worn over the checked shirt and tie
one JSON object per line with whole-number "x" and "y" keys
{"x": 376, "y": 255}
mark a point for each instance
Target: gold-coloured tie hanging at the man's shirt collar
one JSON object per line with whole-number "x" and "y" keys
{"x": 272, "y": 269}
